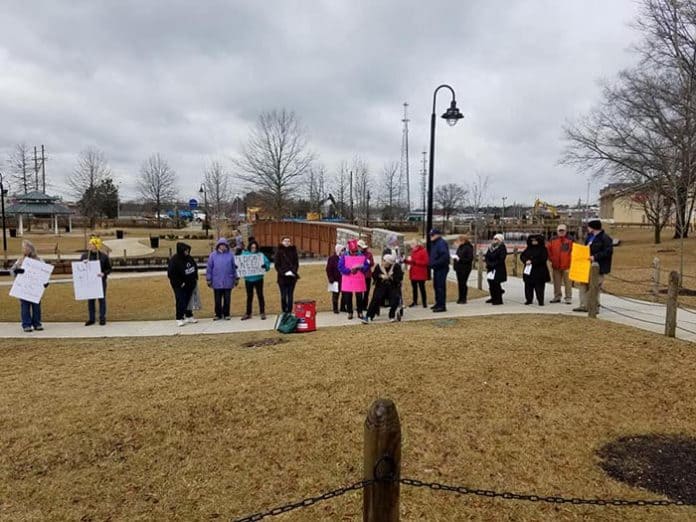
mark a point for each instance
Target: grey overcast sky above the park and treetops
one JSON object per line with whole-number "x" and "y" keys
{"x": 188, "y": 80}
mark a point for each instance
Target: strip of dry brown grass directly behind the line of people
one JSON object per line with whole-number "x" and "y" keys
{"x": 151, "y": 298}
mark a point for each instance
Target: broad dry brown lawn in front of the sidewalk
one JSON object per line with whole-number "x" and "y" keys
{"x": 194, "y": 428}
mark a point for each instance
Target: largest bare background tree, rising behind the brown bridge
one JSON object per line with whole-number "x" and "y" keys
{"x": 276, "y": 158}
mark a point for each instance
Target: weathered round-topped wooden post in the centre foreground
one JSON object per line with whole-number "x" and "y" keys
{"x": 382, "y": 459}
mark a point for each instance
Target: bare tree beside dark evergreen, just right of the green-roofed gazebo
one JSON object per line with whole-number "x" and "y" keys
{"x": 91, "y": 171}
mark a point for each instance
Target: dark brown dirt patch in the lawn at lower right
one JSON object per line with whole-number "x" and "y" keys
{"x": 660, "y": 463}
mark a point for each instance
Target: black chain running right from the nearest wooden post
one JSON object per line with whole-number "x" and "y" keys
{"x": 462, "y": 490}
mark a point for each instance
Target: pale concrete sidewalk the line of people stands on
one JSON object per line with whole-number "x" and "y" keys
{"x": 640, "y": 314}
